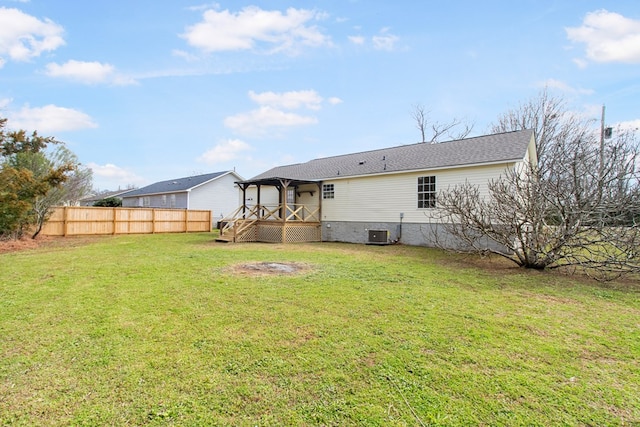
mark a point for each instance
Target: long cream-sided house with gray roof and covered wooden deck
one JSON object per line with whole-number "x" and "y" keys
{"x": 378, "y": 196}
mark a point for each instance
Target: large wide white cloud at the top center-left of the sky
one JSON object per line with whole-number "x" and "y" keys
{"x": 253, "y": 27}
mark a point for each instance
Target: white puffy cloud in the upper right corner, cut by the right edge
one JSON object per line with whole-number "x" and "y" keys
{"x": 609, "y": 37}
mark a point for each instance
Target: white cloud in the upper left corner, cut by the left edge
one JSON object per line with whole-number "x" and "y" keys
{"x": 23, "y": 36}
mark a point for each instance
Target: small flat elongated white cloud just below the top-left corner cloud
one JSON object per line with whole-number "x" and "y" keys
{"x": 88, "y": 73}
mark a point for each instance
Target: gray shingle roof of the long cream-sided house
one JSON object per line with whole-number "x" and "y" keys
{"x": 502, "y": 147}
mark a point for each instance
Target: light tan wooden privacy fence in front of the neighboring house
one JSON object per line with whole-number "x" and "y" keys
{"x": 81, "y": 220}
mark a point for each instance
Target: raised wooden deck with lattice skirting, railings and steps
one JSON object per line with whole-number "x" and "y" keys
{"x": 272, "y": 224}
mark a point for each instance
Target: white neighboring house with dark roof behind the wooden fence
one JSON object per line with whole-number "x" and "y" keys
{"x": 216, "y": 192}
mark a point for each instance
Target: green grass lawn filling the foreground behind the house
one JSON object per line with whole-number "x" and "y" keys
{"x": 166, "y": 330}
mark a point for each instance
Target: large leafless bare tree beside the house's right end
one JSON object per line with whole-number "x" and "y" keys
{"x": 579, "y": 206}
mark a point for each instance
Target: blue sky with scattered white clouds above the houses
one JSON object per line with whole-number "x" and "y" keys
{"x": 149, "y": 90}
